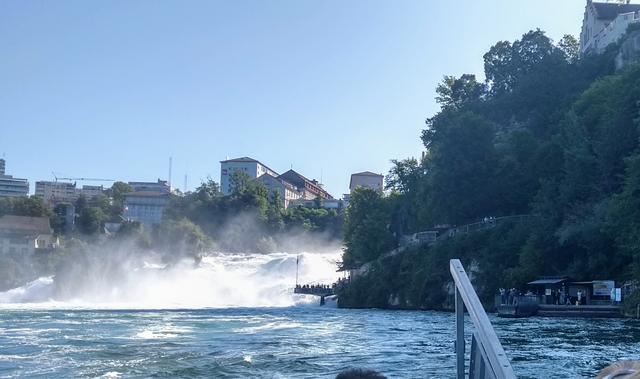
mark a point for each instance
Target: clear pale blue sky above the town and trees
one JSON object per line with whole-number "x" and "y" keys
{"x": 112, "y": 89}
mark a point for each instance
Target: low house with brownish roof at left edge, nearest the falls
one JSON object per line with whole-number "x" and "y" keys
{"x": 25, "y": 235}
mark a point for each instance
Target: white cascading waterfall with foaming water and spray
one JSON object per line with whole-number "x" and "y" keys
{"x": 221, "y": 280}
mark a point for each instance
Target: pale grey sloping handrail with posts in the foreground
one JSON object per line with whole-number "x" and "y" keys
{"x": 488, "y": 359}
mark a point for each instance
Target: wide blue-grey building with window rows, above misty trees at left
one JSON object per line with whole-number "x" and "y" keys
{"x": 146, "y": 207}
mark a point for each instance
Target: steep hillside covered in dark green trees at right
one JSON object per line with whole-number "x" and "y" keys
{"x": 548, "y": 134}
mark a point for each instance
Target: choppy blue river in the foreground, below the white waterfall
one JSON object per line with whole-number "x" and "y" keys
{"x": 293, "y": 342}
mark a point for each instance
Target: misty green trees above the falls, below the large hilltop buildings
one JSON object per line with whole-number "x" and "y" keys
{"x": 250, "y": 218}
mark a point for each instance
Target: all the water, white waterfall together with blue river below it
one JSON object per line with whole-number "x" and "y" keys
{"x": 235, "y": 317}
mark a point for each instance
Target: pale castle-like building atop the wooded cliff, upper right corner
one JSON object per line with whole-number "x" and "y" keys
{"x": 604, "y": 24}
